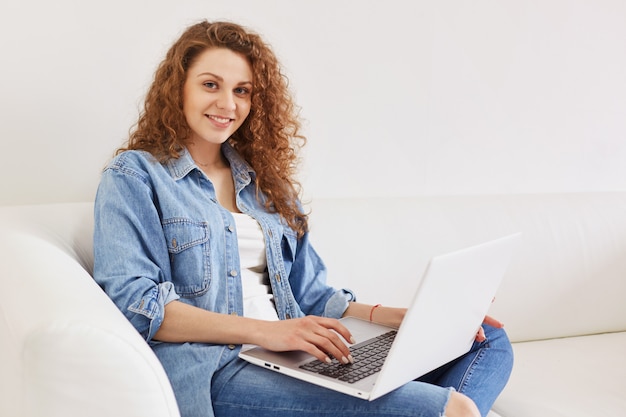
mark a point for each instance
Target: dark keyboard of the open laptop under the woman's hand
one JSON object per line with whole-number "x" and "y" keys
{"x": 368, "y": 359}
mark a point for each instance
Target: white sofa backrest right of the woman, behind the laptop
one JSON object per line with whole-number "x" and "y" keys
{"x": 567, "y": 278}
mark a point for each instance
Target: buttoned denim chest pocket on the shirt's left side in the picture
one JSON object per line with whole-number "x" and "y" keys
{"x": 188, "y": 247}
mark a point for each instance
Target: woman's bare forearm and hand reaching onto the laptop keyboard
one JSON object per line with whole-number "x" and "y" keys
{"x": 185, "y": 323}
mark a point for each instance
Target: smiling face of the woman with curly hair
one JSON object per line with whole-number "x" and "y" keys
{"x": 216, "y": 95}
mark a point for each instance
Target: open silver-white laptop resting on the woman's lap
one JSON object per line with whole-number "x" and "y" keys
{"x": 440, "y": 325}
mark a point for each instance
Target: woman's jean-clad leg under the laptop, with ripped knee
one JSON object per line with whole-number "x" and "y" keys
{"x": 244, "y": 390}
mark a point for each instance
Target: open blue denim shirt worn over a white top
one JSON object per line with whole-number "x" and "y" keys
{"x": 161, "y": 235}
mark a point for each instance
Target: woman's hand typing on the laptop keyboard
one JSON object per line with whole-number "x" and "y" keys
{"x": 317, "y": 336}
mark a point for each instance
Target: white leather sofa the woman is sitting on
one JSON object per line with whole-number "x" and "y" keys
{"x": 65, "y": 350}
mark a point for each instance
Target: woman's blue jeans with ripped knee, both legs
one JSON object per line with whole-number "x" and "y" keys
{"x": 243, "y": 390}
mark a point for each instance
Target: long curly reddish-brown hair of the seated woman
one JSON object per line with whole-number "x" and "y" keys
{"x": 268, "y": 139}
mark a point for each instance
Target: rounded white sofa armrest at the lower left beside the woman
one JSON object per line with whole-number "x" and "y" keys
{"x": 65, "y": 349}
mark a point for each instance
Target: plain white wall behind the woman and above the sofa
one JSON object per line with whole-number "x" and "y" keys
{"x": 439, "y": 97}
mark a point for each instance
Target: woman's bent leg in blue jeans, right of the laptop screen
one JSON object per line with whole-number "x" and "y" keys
{"x": 482, "y": 373}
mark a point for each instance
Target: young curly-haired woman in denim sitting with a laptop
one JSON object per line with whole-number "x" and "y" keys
{"x": 202, "y": 243}
